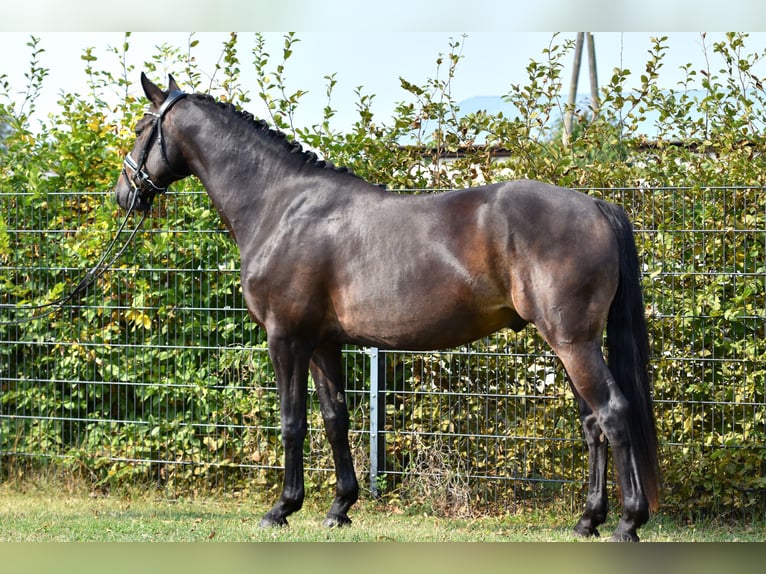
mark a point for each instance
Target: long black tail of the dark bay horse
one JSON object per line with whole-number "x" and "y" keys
{"x": 627, "y": 342}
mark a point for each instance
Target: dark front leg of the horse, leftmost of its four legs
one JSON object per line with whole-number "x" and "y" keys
{"x": 290, "y": 359}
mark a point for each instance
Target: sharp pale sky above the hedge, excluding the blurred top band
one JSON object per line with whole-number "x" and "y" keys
{"x": 491, "y": 61}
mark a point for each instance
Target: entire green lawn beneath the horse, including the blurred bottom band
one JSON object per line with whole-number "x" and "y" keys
{"x": 33, "y": 519}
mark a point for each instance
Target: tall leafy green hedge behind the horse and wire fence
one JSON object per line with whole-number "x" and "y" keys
{"x": 163, "y": 341}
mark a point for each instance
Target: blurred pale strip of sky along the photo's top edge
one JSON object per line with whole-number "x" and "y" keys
{"x": 341, "y": 16}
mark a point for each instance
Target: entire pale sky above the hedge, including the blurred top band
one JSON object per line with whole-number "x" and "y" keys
{"x": 369, "y": 44}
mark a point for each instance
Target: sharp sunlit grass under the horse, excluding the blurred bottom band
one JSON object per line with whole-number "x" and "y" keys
{"x": 46, "y": 514}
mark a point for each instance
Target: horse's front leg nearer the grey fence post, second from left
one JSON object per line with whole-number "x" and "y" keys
{"x": 327, "y": 371}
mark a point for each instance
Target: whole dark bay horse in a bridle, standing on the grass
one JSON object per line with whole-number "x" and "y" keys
{"x": 328, "y": 259}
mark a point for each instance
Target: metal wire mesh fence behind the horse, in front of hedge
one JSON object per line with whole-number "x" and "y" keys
{"x": 158, "y": 374}
